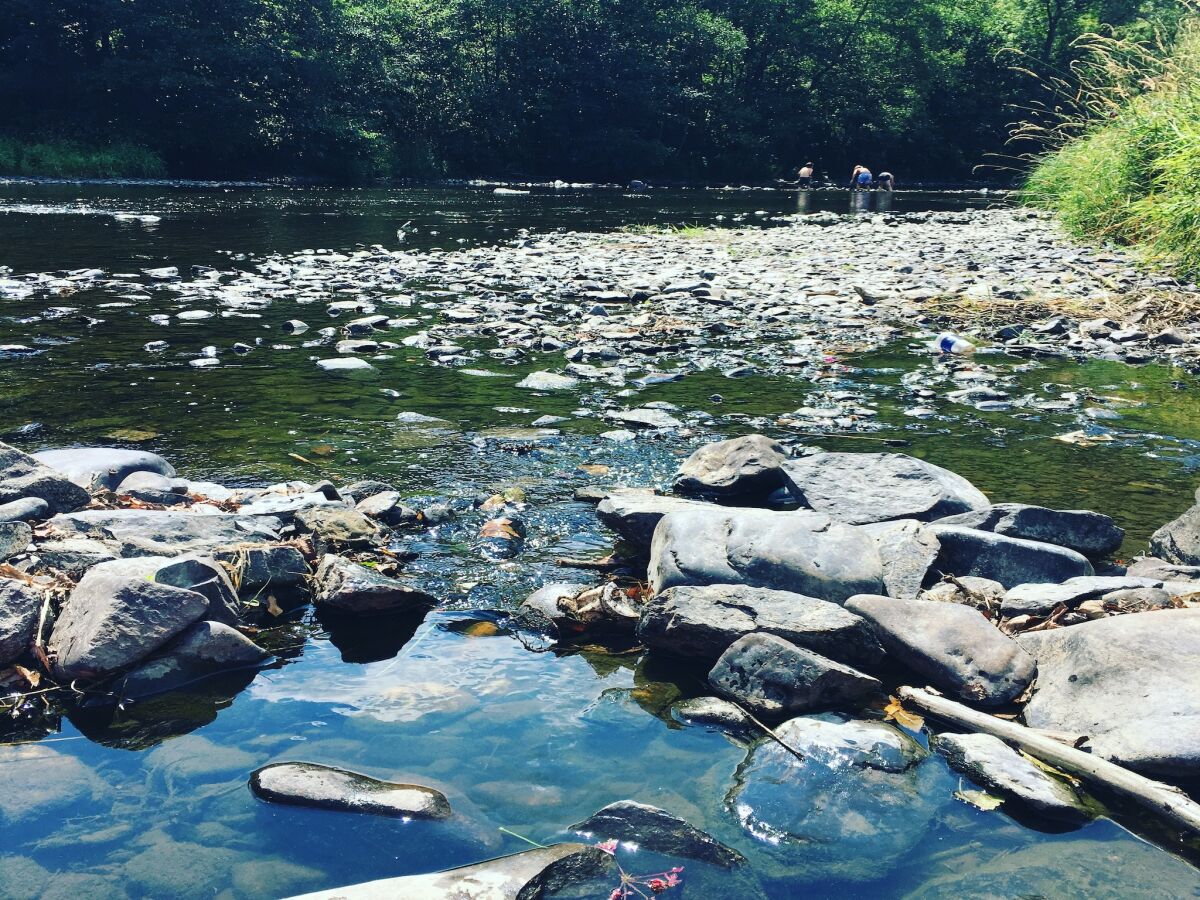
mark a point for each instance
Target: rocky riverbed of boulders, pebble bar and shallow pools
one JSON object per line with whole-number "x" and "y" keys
{"x": 526, "y": 634}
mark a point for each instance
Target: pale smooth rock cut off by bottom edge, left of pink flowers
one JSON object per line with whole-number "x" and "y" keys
{"x": 523, "y": 877}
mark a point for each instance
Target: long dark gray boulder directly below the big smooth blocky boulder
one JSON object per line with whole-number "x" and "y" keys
{"x": 703, "y": 622}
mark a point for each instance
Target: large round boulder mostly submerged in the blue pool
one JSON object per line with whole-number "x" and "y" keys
{"x": 856, "y": 802}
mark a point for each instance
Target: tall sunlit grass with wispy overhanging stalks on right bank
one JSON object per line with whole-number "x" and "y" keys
{"x": 1124, "y": 151}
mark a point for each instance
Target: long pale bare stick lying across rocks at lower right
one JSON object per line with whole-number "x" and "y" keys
{"x": 1162, "y": 800}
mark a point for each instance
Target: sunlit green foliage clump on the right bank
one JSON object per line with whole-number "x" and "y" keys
{"x": 1132, "y": 177}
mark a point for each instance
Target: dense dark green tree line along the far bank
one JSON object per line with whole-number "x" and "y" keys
{"x": 574, "y": 89}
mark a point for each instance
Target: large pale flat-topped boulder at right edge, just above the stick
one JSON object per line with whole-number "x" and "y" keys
{"x": 1127, "y": 682}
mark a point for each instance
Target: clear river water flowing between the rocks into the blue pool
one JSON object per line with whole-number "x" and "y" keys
{"x": 152, "y": 801}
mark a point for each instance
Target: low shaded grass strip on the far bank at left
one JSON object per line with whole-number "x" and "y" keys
{"x": 71, "y": 159}
